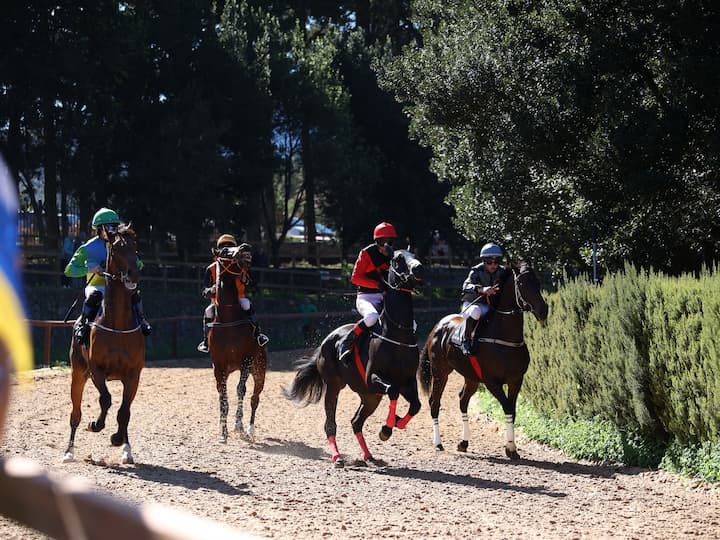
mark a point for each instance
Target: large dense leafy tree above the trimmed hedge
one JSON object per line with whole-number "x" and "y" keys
{"x": 558, "y": 123}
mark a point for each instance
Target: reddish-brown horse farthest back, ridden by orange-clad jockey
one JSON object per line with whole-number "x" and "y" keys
{"x": 233, "y": 346}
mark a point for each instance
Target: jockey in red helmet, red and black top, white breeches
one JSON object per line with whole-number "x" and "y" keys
{"x": 370, "y": 276}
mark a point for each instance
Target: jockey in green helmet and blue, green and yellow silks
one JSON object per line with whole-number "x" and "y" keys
{"x": 89, "y": 260}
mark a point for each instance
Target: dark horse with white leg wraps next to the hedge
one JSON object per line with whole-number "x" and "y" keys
{"x": 501, "y": 358}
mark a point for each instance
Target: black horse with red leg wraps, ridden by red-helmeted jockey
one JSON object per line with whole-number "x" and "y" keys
{"x": 385, "y": 363}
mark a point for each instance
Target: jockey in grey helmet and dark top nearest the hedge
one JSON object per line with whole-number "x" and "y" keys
{"x": 478, "y": 287}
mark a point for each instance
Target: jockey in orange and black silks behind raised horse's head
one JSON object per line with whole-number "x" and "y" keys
{"x": 242, "y": 280}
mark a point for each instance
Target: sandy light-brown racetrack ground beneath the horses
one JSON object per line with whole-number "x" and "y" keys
{"x": 284, "y": 486}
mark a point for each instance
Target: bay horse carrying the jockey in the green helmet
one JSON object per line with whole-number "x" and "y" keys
{"x": 116, "y": 349}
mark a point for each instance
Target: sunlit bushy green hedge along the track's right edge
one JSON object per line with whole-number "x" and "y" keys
{"x": 639, "y": 351}
